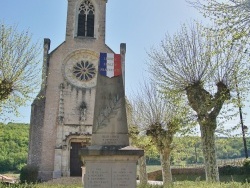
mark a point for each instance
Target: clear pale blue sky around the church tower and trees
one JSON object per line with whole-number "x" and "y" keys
{"x": 141, "y": 24}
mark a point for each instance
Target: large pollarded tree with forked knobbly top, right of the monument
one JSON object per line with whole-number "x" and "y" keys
{"x": 203, "y": 66}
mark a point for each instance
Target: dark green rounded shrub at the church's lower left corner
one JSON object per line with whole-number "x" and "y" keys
{"x": 29, "y": 174}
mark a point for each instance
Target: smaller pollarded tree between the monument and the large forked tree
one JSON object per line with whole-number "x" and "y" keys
{"x": 161, "y": 118}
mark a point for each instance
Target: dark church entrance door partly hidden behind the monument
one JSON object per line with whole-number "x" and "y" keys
{"x": 75, "y": 162}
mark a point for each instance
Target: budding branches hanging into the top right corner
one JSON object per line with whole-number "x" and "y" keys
{"x": 230, "y": 15}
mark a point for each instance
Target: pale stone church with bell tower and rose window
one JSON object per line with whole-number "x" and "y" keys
{"x": 62, "y": 114}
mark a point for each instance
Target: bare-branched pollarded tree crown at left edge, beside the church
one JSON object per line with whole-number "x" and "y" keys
{"x": 19, "y": 68}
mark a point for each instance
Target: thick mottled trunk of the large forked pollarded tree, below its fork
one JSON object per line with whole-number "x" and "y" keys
{"x": 209, "y": 153}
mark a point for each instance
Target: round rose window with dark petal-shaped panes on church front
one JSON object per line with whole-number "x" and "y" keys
{"x": 84, "y": 71}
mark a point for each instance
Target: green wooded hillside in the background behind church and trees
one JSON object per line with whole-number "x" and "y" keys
{"x": 14, "y": 148}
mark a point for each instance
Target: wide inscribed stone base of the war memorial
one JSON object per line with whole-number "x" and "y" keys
{"x": 110, "y": 166}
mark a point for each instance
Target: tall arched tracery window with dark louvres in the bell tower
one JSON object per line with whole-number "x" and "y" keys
{"x": 86, "y": 19}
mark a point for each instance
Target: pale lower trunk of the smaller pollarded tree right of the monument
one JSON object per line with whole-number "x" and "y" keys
{"x": 166, "y": 168}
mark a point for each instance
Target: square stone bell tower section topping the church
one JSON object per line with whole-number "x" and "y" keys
{"x": 86, "y": 19}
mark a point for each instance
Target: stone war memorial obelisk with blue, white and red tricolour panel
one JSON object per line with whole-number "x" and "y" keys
{"x": 110, "y": 162}
